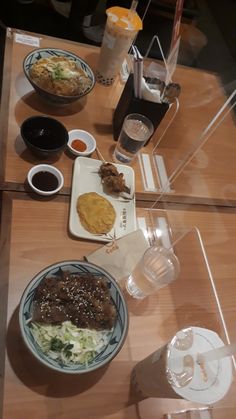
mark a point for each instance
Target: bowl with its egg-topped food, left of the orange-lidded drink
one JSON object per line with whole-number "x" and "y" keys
{"x": 58, "y": 76}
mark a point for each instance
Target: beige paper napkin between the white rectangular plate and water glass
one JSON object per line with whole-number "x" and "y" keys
{"x": 120, "y": 256}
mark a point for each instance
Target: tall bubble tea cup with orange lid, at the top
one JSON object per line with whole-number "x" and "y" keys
{"x": 121, "y": 29}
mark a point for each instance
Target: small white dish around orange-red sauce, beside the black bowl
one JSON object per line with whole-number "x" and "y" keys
{"x": 86, "y": 138}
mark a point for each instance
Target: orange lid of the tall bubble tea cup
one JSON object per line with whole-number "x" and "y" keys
{"x": 124, "y": 19}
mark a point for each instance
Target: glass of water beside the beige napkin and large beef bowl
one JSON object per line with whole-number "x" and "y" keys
{"x": 158, "y": 267}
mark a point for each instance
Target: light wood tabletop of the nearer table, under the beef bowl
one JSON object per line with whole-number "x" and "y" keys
{"x": 34, "y": 235}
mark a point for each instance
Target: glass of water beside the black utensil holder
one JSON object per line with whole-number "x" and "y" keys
{"x": 135, "y": 132}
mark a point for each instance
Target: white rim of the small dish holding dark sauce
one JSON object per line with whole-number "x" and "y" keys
{"x": 54, "y": 170}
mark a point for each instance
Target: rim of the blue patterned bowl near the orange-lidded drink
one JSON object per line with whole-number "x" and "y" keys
{"x": 69, "y": 53}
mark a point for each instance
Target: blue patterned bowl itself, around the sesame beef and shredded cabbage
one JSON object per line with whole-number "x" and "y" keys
{"x": 118, "y": 335}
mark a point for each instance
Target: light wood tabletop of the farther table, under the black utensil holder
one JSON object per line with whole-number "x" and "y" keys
{"x": 209, "y": 177}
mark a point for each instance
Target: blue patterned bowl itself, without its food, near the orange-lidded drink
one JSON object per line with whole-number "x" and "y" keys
{"x": 35, "y": 55}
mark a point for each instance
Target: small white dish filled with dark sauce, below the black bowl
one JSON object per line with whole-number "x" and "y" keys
{"x": 45, "y": 179}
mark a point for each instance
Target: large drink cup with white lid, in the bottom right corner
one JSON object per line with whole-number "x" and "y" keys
{"x": 173, "y": 371}
